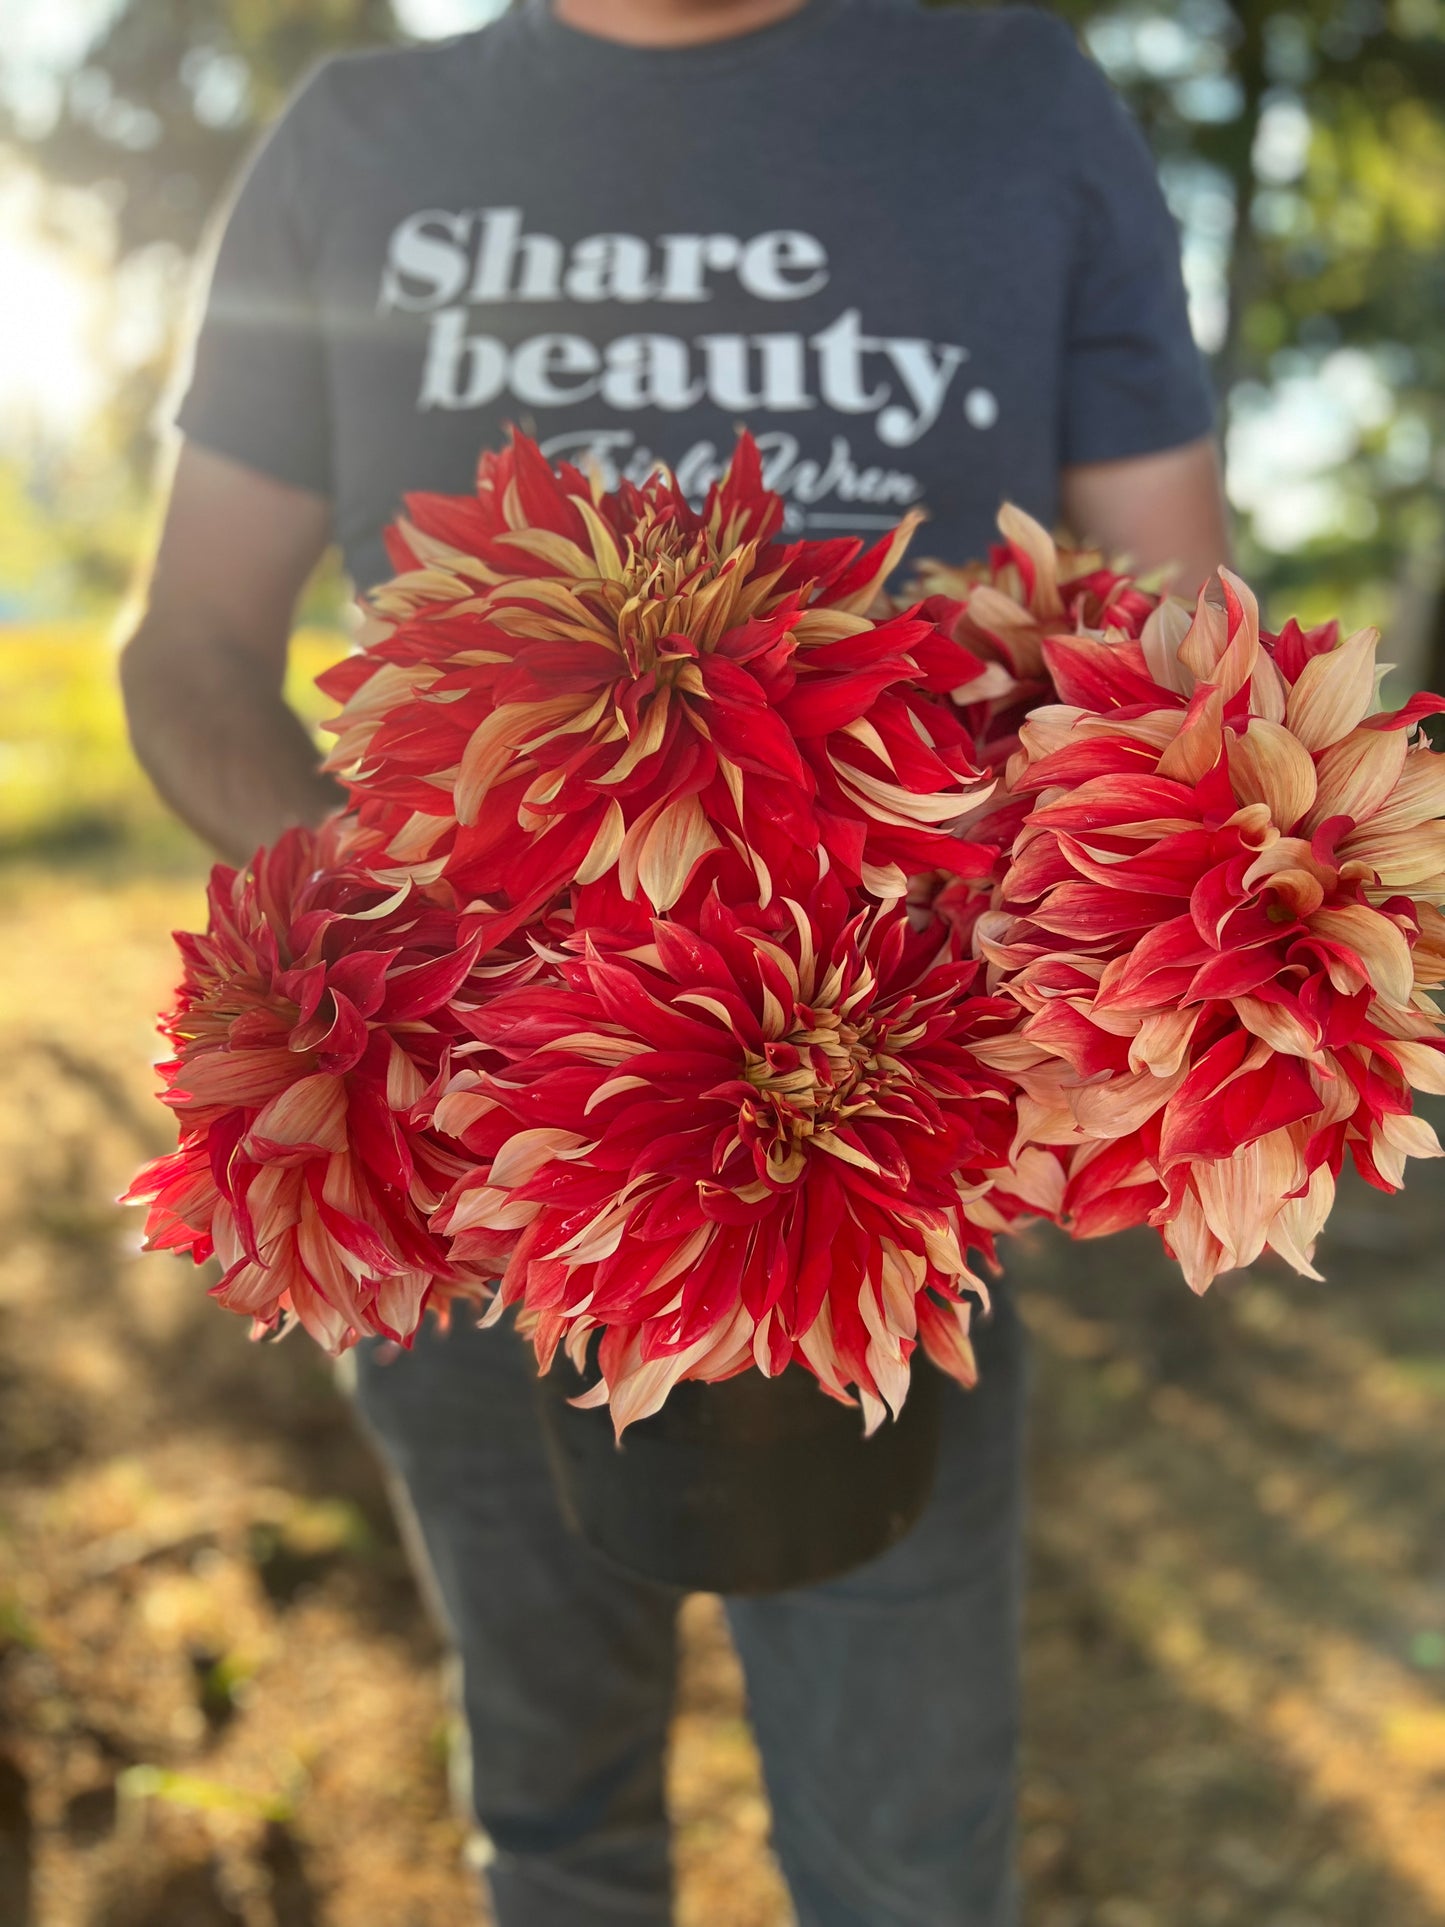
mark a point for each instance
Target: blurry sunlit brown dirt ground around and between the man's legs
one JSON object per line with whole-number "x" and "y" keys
{"x": 221, "y": 1701}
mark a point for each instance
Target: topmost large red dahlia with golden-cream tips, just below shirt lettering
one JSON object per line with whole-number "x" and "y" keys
{"x": 565, "y": 685}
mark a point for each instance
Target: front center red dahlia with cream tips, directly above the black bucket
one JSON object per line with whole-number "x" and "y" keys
{"x": 760, "y": 1140}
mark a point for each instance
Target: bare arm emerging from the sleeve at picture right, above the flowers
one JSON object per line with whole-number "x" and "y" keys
{"x": 1161, "y": 512}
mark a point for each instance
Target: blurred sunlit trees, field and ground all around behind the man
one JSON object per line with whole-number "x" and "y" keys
{"x": 219, "y": 1697}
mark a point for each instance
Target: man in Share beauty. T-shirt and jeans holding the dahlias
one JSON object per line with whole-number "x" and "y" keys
{"x": 926, "y": 259}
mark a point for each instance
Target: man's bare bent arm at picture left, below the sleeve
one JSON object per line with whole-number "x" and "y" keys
{"x": 205, "y": 666}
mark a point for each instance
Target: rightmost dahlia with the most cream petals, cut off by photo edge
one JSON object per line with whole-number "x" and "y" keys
{"x": 1221, "y": 926}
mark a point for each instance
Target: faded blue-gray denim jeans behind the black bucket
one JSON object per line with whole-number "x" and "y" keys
{"x": 885, "y": 1703}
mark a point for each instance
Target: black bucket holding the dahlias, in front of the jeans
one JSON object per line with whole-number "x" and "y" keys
{"x": 754, "y": 1485}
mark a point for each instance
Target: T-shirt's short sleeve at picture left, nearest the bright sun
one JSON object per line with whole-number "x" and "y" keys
{"x": 255, "y": 388}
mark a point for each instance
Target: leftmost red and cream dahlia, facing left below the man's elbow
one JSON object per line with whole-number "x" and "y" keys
{"x": 311, "y": 1020}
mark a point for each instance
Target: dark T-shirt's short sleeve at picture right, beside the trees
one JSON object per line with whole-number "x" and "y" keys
{"x": 1134, "y": 379}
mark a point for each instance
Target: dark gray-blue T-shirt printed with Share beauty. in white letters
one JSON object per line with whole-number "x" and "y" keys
{"x": 922, "y": 255}
